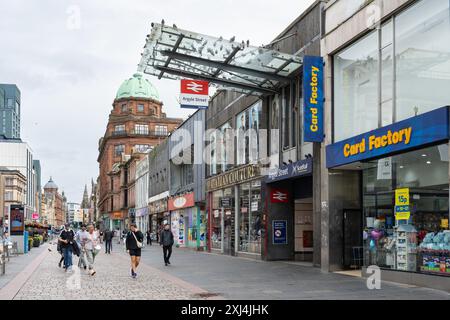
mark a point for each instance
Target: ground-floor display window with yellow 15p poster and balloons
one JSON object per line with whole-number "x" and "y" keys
{"x": 418, "y": 241}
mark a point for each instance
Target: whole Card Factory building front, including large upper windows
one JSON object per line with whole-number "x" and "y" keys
{"x": 385, "y": 167}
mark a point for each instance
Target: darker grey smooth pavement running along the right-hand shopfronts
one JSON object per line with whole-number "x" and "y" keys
{"x": 238, "y": 278}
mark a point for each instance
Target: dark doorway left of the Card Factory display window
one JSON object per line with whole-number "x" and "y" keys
{"x": 352, "y": 238}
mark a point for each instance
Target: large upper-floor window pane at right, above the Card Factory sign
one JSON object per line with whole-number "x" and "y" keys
{"x": 422, "y": 58}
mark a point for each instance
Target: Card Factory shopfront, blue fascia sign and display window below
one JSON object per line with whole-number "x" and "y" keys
{"x": 404, "y": 179}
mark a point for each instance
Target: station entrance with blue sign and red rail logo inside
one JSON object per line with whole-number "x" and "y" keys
{"x": 290, "y": 212}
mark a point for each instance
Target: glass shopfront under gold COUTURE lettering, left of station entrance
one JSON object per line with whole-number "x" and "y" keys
{"x": 236, "y": 214}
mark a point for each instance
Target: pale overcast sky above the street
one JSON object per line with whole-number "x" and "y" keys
{"x": 68, "y": 59}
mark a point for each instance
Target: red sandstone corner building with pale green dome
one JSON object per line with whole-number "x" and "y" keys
{"x": 136, "y": 124}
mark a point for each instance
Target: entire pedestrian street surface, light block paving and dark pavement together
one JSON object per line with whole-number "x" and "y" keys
{"x": 193, "y": 275}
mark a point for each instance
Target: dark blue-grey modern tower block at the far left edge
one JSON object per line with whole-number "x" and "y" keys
{"x": 10, "y": 111}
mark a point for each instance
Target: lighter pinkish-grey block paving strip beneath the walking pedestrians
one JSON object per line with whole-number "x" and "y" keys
{"x": 112, "y": 282}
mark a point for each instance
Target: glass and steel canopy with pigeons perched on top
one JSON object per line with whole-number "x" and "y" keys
{"x": 173, "y": 53}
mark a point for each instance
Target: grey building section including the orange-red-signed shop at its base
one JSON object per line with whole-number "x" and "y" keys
{"x": 186, "y": 204}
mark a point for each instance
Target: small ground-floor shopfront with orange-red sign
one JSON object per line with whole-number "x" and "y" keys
{"x": 188, "y": 222}
